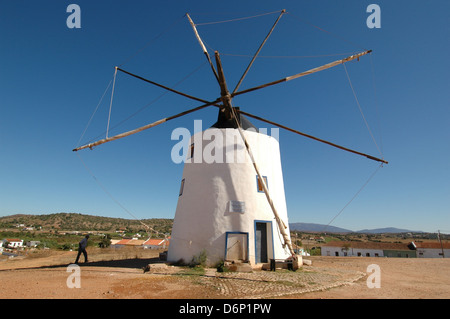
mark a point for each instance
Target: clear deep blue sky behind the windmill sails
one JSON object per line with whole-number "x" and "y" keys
{"x": 52, "y": 78}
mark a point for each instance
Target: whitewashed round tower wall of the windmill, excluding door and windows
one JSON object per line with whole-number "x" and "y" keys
{"x": 203, "y": 215}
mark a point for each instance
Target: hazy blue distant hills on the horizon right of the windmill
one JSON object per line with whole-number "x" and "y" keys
{"x": 319, "y": 228}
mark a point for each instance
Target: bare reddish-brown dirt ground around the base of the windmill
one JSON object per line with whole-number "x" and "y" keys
{"x": 120, "y": 275}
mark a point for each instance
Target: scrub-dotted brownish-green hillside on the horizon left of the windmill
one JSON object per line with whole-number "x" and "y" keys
{"x": 82, "y": 222}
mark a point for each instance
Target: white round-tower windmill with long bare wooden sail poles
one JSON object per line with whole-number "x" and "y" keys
{"x": 227, "y": 209}
